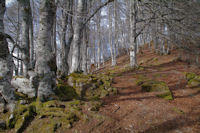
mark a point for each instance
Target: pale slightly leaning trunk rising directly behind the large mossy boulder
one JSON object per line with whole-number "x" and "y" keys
{"x": 76, "y": 63}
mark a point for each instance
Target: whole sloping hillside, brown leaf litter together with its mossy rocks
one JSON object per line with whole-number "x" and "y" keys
{"x": 161, "y": 95}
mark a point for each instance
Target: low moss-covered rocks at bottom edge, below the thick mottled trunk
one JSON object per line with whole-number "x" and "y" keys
{"x": 55, "y": 114}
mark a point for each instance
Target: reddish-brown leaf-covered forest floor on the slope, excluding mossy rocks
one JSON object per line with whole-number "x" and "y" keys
{"x": 134, "y": 111}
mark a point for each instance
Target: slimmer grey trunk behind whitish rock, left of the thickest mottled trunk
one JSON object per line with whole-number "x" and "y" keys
{"x": 26, "y": 15}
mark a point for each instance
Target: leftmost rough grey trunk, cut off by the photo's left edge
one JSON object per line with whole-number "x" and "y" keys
{"x": 7, "y": 96}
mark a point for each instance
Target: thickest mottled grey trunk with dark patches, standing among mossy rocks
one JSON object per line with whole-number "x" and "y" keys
{"x": 45, "y": 61}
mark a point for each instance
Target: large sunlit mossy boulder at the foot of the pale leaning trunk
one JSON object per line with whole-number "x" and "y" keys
{"x": 90, "y": 86}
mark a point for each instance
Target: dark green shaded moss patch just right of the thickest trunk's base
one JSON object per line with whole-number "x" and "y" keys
{"x": 65, "y": 92}
